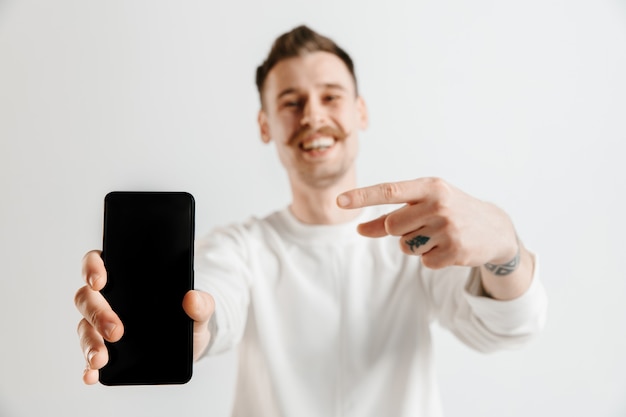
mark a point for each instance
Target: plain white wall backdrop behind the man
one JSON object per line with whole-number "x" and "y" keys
{"x": 520, "y": 103}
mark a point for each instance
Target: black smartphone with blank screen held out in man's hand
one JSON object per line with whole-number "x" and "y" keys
{"x": 148, "y": 253}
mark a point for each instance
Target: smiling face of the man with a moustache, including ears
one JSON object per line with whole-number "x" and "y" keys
{"x": 311, "y": 112}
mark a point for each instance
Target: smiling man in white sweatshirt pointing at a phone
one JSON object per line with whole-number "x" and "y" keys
{"x": 330, "y": 321}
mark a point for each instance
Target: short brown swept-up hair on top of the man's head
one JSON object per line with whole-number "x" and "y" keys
{"x": 300, "y": 41}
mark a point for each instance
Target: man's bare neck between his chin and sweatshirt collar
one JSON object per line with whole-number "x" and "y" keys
{"x": 313, "y": 205}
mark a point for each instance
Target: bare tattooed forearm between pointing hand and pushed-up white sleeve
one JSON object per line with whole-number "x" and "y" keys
{"x": 507, "y": 282}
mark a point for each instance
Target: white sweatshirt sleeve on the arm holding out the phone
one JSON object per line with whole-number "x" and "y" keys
{"x": 221, "y": 269}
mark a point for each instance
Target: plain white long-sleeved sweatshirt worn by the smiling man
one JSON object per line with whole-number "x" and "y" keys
{"x": 330, "y": 323}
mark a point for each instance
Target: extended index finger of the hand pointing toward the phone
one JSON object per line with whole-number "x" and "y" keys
{"x": 386, "y": 193}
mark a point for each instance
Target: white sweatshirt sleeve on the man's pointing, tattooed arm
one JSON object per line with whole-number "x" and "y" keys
{"x": 483, "y": 323}
